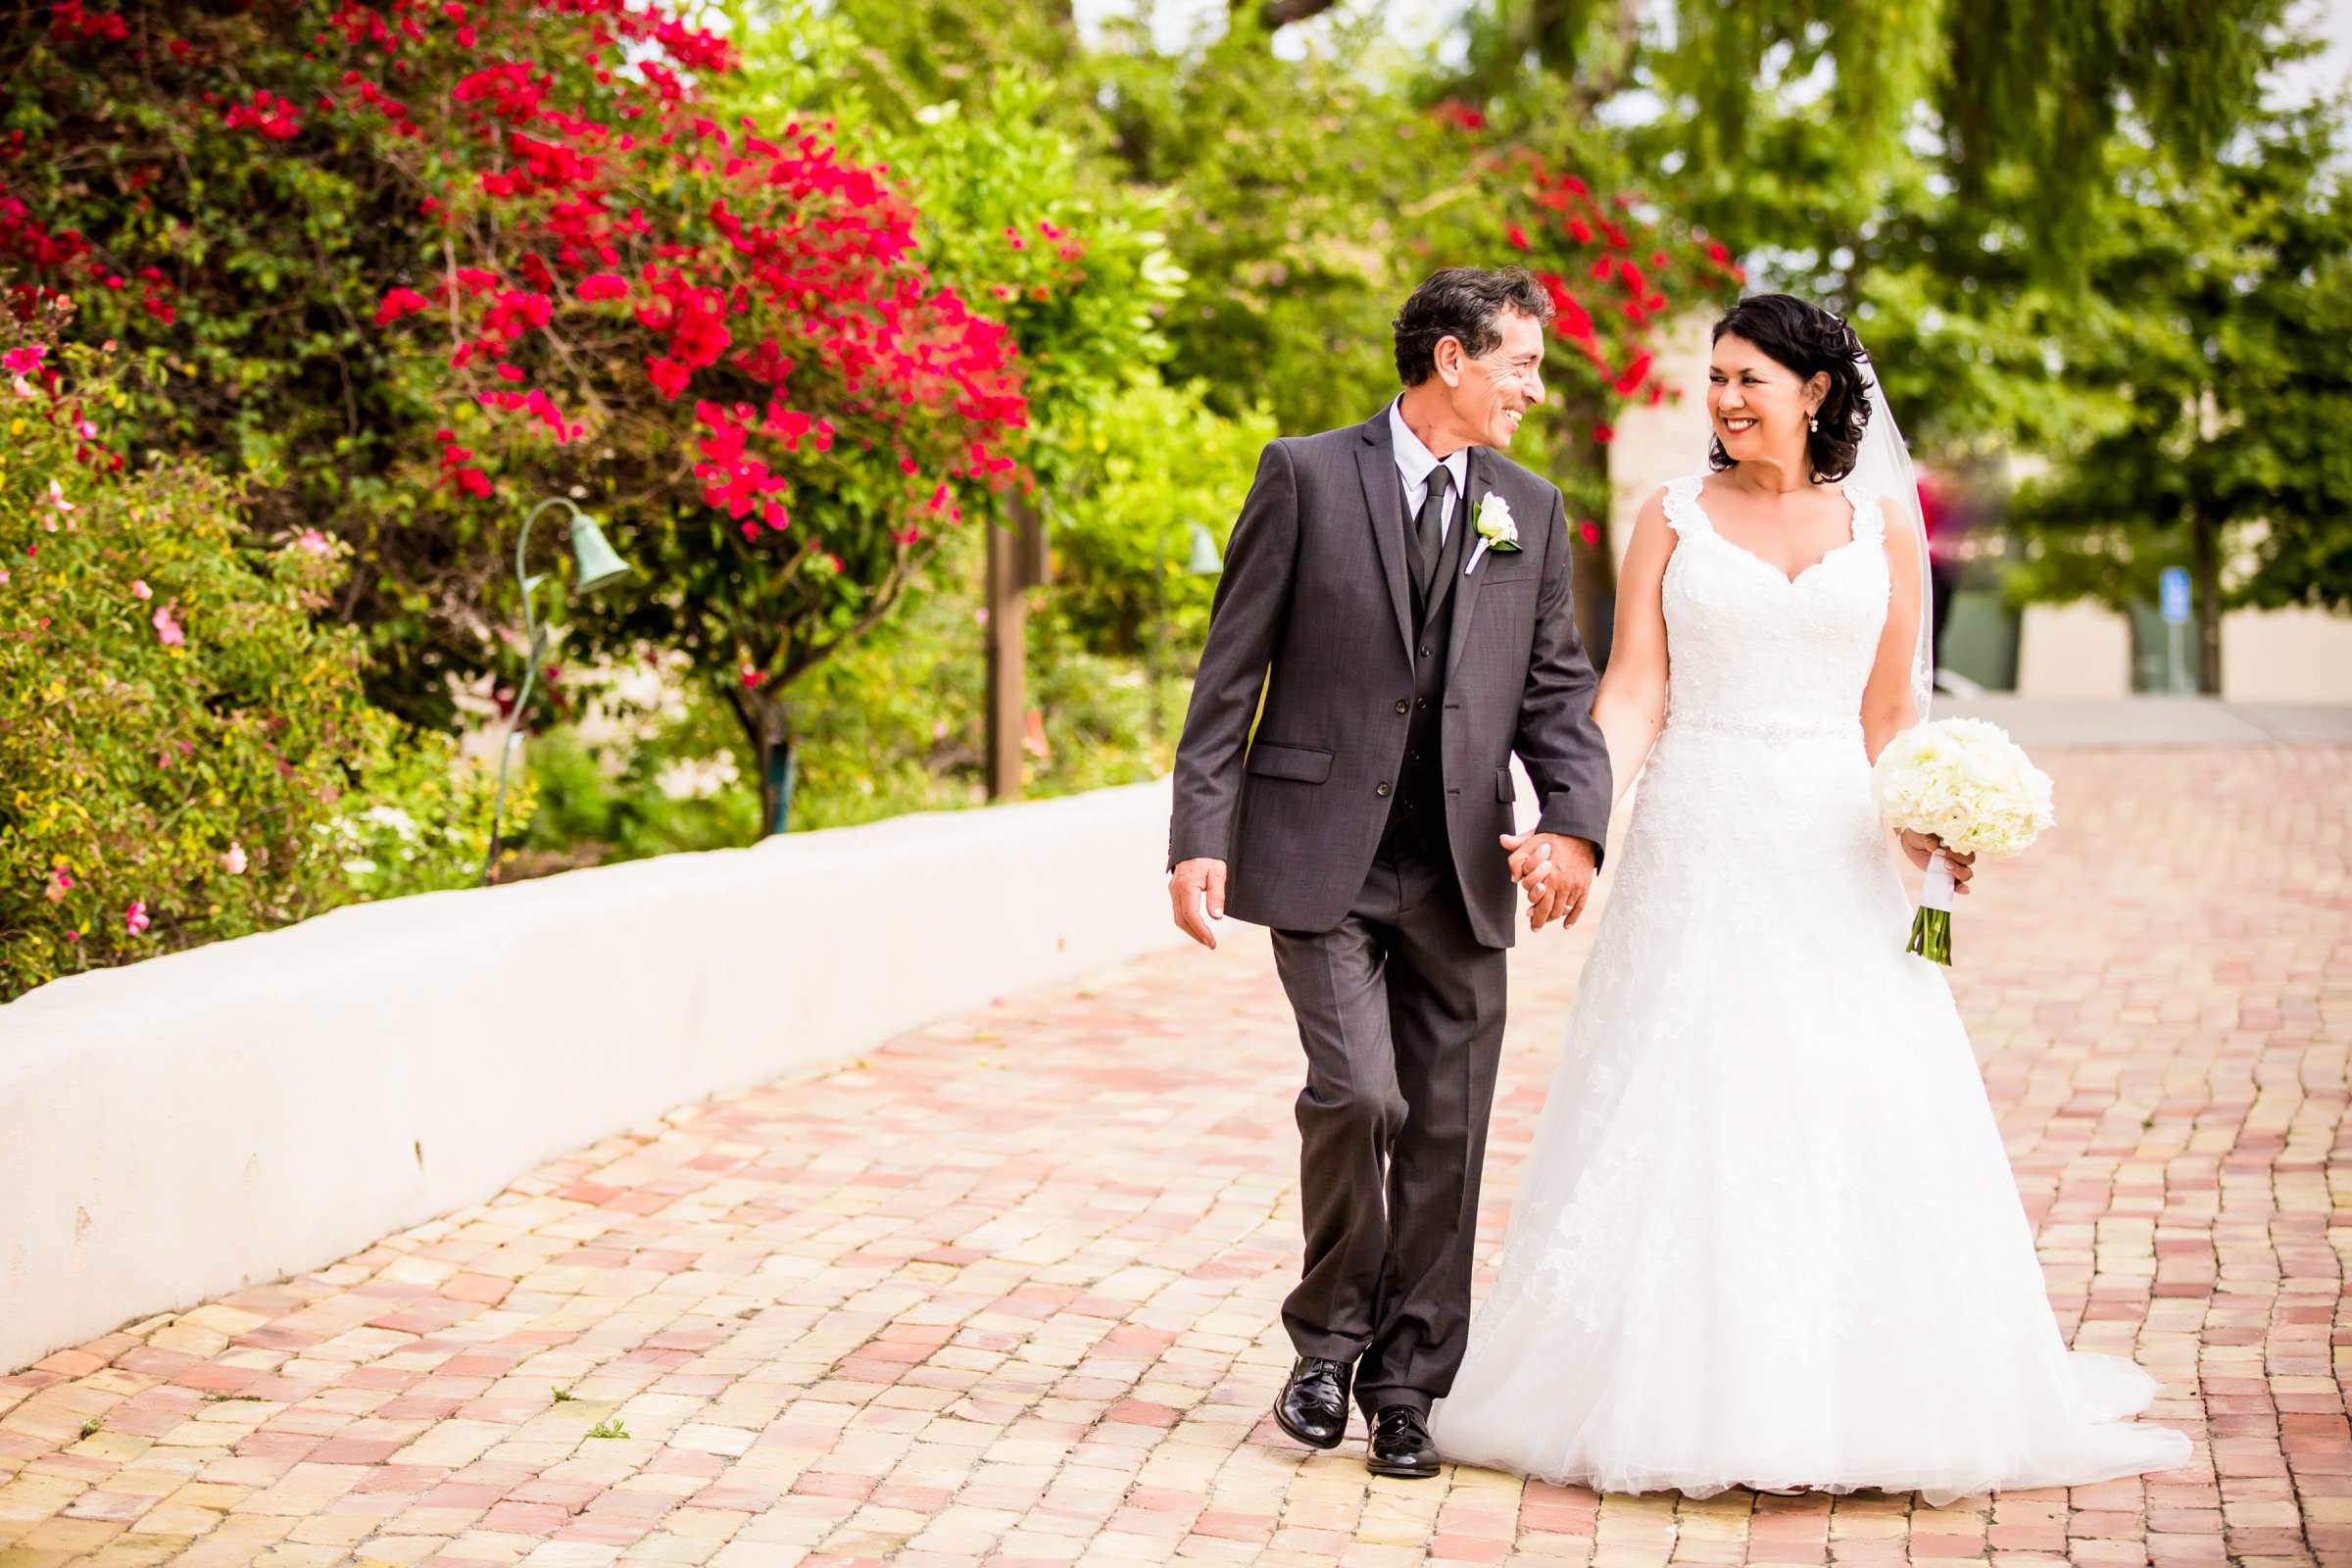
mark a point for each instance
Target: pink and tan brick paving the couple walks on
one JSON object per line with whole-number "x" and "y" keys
{"x": 1005, "y": 1292}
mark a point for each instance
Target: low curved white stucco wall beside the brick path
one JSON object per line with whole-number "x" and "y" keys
{"x": 199, "y": 1123}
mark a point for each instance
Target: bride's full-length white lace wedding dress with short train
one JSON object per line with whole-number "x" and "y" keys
{"x": 1768, "y": 1233}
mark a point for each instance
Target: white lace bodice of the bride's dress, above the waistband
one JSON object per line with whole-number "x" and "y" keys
{"x": 1756, "y": 652}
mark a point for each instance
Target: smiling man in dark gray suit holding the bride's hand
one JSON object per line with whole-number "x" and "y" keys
{"x": 1401, "y": 596}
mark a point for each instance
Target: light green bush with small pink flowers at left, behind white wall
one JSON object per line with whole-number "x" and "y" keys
{"x": 187, "y": 753}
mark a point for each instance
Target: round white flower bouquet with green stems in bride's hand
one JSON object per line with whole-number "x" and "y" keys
{"x": 1970, "y": 786}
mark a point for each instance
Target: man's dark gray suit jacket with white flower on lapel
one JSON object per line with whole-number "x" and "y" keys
{"x": 1316, "y": 612}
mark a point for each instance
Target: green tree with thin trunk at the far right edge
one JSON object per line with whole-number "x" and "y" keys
{"x": 2210, "y": 361}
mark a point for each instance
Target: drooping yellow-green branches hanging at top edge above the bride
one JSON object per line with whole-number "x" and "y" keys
{"x": 1793, "y": 109}
